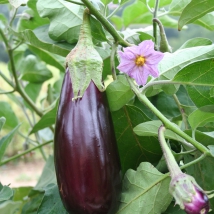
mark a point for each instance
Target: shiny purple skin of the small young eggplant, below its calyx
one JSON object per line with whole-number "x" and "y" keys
{"x": 199, "y": 204}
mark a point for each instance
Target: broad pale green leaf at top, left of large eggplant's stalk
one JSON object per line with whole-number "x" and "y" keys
{"x": 67, "y": 14}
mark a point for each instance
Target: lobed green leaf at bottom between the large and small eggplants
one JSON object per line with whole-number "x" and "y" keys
{"x": 145, "y": 191}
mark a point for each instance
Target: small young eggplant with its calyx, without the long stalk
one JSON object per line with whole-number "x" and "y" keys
{"x": 189, "y": 195}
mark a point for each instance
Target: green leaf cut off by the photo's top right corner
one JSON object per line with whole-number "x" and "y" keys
{"x": 194, "y": 10}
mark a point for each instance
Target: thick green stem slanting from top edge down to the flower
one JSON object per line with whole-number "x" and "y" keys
{"x": 109, "y": 27}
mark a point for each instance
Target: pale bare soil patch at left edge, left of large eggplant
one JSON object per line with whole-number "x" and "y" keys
{"x": 21, "y": 173}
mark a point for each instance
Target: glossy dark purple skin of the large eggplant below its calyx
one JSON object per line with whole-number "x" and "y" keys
{"x": 86, "y": 157}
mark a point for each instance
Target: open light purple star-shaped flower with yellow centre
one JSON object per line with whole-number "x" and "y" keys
{"x": 140, "y": 61}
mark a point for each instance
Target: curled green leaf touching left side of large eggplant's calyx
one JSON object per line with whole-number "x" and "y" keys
{"x": 39, "y": 38}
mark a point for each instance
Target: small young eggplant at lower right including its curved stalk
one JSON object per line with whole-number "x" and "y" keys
{"x": 186, "y": 192}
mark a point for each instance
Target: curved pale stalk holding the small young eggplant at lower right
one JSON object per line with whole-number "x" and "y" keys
{"x": 169, "y": 158}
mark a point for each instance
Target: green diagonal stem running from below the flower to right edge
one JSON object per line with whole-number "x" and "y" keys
{"x": 169, "y": 125}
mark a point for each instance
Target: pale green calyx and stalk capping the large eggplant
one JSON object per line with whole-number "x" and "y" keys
{"x": 84, "y": 62}
